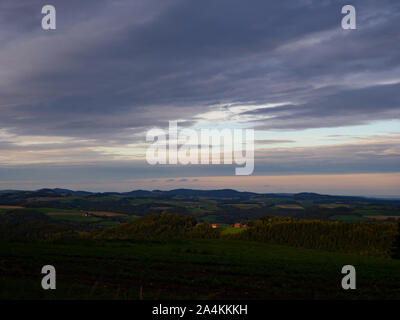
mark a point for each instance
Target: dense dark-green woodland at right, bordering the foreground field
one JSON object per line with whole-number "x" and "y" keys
{"x": 366, "y": 238}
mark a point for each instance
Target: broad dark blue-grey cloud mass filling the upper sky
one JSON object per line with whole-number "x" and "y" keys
{"x": 114, "y": 68}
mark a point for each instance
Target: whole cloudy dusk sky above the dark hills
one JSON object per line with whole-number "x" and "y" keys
{"x": 76, "y": 102}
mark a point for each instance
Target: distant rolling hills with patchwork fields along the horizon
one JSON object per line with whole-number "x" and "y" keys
{"x": 214, "y": 206}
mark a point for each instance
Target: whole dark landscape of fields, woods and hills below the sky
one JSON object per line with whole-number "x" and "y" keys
{"x": 280, "y": 255}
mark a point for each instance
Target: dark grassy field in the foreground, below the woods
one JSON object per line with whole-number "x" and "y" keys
{"x": 189, "y": 269}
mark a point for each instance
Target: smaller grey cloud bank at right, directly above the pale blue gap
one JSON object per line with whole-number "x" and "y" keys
{"x": 348, "y": 107}
